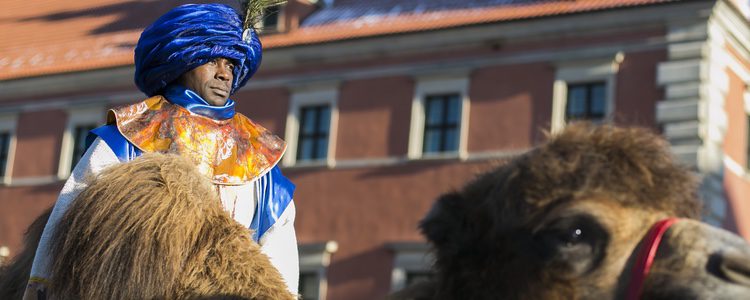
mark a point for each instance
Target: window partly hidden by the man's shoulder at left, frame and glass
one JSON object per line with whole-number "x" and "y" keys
{"x": 80, "y": 121}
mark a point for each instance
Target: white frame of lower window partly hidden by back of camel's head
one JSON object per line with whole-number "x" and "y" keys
{"x": 409, "y": 257}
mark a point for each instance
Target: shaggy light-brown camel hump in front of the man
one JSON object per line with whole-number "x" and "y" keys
{"x": 153, "y": 228}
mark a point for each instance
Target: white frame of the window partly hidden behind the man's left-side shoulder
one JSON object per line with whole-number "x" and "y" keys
{"x": 76, "y": 116}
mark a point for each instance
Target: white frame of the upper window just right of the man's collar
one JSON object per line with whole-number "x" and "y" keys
{"x": 308, "y": 96}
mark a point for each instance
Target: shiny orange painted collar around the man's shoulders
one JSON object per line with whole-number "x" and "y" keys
{"x": 230, "y": 152}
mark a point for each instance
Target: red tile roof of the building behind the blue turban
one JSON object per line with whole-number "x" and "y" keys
{"x": 43, "y": 37}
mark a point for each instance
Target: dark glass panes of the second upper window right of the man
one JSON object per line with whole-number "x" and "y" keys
{"x": 442, "y": 119}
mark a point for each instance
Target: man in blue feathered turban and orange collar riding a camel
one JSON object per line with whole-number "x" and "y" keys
{"x": 189, "y": 62}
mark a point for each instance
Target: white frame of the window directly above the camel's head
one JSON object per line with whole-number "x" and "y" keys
{"x": 569, "y": 73}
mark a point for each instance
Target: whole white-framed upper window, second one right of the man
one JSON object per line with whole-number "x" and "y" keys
{"x": 439, "y": 121}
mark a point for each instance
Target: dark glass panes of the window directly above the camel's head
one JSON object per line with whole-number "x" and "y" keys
{"x": 586, "y": 101}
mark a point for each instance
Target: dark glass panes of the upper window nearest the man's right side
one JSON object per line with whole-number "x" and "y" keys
{"x": 315, "y": 122}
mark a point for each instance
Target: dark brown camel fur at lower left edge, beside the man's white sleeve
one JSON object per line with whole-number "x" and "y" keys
{"x": 15, "y": 275}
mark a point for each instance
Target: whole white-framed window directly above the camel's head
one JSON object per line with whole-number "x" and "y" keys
{"x": 584, "y": 90}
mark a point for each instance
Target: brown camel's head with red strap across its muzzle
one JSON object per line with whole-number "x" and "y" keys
{"x": 570, "y": 219}
